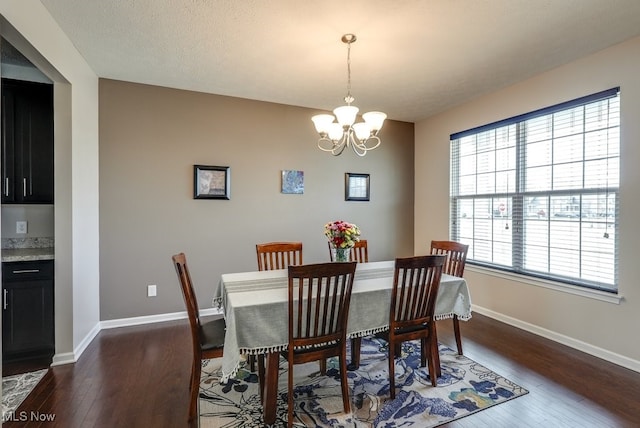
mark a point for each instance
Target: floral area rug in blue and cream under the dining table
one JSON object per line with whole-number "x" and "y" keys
{"x": 464, "y": 388}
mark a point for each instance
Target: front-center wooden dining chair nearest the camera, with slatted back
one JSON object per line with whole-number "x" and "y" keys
{"x": 319, "y": 297}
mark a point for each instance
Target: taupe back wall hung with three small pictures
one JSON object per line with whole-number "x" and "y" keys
{"x": 150, "y": 138}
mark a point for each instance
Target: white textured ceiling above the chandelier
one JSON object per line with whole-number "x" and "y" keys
{"x": 412, "y": 59}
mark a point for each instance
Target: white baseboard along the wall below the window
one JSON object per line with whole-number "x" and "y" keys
{"x": 612, "y": 357}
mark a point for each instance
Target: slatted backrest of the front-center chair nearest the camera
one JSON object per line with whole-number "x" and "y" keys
{"x": 319, "y": 296}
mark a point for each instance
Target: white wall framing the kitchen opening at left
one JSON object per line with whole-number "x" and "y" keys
{"x": 29, "y": 27}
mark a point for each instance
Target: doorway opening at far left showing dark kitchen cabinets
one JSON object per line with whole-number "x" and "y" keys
{"x": 27, "y": 214}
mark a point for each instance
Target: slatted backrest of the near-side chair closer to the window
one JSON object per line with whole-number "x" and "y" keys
{"x": 415, "y": 289}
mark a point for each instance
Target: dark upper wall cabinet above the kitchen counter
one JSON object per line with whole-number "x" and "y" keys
{"x": 27, "y": 142}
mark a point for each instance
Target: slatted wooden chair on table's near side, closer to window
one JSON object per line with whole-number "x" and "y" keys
{"x": 413, "y": 302}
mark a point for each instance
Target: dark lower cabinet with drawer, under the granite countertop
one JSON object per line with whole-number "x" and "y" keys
{"x": 27, "y": 315}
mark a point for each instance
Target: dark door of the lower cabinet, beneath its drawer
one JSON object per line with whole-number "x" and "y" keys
{"x": 27, "y": 322}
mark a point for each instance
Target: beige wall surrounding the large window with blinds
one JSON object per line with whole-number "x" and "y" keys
{"x": 605, "y": 329}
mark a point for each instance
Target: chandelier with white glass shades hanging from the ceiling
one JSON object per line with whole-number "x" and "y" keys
{"x": 336, "y": 136}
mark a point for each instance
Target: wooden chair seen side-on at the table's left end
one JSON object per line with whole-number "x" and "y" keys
{"x": 207, "y": 339}
